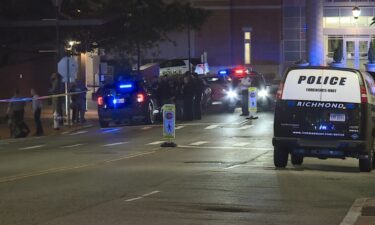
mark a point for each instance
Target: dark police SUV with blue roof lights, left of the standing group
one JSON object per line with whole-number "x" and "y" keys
{"x": 126, "y": 102}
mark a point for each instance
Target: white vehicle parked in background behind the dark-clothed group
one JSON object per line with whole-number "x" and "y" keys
{"x": 181, "y": 66}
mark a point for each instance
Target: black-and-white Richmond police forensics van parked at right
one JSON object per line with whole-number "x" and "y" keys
{"x": 325, "y": 113}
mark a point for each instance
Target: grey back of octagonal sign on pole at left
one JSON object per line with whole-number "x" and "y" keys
{"x": 68, "y": 68}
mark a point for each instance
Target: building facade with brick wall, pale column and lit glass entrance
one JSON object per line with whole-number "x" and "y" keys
{"x": 274, "y": 34}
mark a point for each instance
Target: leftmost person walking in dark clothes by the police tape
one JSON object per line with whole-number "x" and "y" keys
{"x": 16, "y": 110}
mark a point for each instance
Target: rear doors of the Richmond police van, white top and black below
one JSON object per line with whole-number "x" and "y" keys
{"x": 321, "y": 104}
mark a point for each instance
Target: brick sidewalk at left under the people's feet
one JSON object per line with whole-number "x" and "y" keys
{"x": 47, "y": 123}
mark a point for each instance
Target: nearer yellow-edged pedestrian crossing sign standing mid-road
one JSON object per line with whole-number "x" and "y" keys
{"x": 169, "y": 121}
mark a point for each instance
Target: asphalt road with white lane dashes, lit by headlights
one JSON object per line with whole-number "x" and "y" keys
{"x": 221, "y": 173}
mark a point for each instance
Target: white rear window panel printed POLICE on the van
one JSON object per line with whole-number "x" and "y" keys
{"x": 326, "y": 85}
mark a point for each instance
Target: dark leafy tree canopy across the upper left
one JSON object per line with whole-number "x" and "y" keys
{"x": 129, "y": 25}
